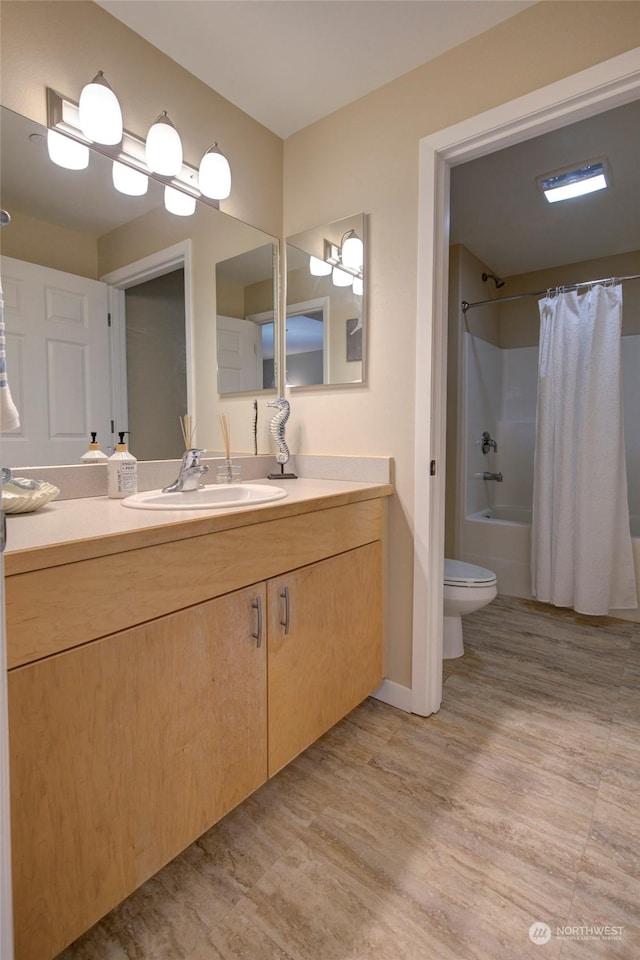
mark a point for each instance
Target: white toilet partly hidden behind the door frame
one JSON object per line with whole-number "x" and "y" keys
{"x": 467, "y": 588}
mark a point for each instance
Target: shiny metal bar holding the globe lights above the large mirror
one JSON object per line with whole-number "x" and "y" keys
{"x": 62, "y": 115}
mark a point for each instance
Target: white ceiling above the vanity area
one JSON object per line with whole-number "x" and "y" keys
{"x": 287, "y": 63}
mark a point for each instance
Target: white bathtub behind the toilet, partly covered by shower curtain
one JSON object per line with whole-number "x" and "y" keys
{"x": 500, "y": 539}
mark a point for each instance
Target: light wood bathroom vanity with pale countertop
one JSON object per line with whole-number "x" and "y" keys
{"x": 161, "y": 673}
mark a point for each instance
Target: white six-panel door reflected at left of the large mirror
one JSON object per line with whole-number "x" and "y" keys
{"x": 57, "y": 340}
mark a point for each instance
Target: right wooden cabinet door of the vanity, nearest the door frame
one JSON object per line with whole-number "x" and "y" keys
{"x": 331, "y": 657}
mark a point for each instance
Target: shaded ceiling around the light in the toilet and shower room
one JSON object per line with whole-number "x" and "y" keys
{"x": 499, "y": 213}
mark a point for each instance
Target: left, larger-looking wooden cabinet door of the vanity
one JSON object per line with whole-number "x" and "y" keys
{"x": 123, "y": 752}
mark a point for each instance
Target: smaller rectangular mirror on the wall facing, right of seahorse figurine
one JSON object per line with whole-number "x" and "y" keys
{"x": 325, "y": 338}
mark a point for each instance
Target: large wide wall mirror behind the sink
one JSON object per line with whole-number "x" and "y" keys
{"x": 76, "y": 251}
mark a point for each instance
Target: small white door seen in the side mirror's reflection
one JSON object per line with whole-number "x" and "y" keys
{"x": 239, "y": 347}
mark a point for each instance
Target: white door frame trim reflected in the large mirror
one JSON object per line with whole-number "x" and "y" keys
{"x": 132, "y": 274}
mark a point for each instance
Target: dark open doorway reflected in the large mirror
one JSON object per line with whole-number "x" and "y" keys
{"x": 156, "y": 357}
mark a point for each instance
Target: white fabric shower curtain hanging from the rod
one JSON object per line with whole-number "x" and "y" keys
{"x": 581, "y": 553}
